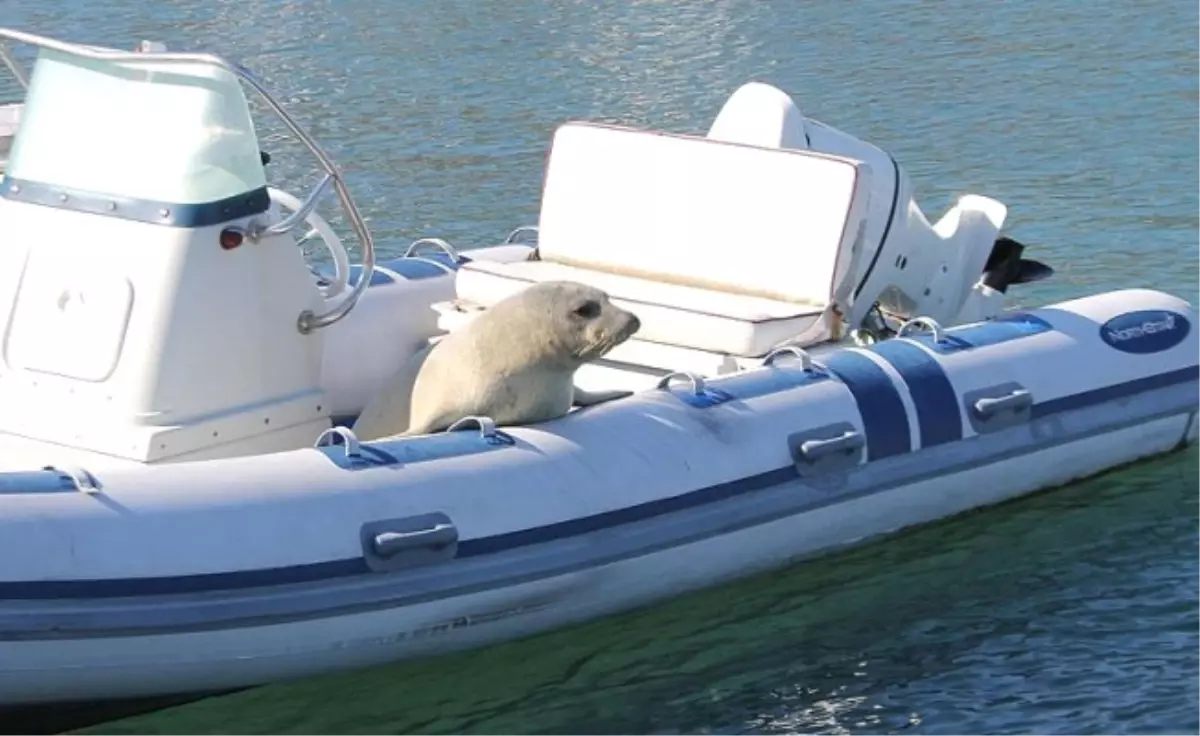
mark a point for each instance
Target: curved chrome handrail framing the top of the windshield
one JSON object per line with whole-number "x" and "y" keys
{"x": 308, "y": 321}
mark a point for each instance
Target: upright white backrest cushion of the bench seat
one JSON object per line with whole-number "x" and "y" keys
{"x": 771, "y": 223}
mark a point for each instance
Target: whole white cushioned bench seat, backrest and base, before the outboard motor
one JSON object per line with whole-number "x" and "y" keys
{"x": 715, "y": 246}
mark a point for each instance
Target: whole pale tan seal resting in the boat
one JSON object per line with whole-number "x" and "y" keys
{"x": 514, "y": 363}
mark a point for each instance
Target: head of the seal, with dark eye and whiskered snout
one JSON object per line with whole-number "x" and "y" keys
{"x": 567, "y": 321}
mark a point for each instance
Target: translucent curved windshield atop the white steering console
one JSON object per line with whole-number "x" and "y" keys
{"x": 165, "y": 133}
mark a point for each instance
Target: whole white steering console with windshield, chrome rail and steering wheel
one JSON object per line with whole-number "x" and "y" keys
{"x": 155, "y": 303}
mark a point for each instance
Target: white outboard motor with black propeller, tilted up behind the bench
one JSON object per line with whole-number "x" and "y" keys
{"x": 909, "y": 267}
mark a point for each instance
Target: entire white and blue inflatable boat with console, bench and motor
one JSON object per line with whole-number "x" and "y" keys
{"x": 185, "y": 507}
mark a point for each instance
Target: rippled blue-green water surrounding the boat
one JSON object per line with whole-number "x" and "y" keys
{"x": 1070, "y": 613}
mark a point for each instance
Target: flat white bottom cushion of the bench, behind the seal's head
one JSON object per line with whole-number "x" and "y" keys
{"x": 683, "y": 316}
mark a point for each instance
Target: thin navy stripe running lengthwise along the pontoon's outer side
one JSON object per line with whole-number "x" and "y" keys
{"x": 45, "y": 590}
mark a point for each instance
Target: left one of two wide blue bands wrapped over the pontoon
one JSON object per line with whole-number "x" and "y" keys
{"x": 885, "y": 420}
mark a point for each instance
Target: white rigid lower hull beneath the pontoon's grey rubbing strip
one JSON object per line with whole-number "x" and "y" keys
{"x": 134, "y": 667}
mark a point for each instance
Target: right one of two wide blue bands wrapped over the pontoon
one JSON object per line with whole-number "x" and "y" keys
{"x": 938, "y": 405}
